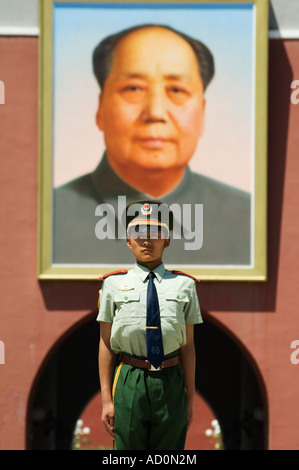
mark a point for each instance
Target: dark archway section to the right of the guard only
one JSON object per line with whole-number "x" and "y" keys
{"x": 229, "y": 380}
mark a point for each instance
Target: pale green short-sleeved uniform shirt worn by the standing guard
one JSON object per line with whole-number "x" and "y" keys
{"x": 123, "y": 303}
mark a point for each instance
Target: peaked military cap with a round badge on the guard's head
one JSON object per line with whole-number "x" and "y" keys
{"x": 140, "y": 216}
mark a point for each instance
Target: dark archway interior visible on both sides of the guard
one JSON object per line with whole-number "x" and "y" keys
{"x": 226, "y": 378}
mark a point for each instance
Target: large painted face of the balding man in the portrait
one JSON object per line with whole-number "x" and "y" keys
{"x": 152, "y": 108}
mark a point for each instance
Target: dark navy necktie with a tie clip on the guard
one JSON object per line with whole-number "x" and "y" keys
{"x": 154, "y": 345}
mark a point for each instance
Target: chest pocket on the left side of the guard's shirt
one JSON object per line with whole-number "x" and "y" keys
{"x": 126, "y": 307}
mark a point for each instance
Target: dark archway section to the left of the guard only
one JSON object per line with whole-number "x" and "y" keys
{"x": 66, "y": 381}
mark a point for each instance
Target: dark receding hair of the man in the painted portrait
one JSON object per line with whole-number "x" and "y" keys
{"x": 103, "y": 54}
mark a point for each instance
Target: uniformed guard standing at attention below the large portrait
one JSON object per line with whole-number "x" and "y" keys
{"x": 146, "y": 316}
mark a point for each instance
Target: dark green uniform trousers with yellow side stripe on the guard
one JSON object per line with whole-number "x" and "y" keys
{"x": 150, "y": 408}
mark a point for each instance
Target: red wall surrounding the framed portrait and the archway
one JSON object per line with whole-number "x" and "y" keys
{"x": 35, "y": 315}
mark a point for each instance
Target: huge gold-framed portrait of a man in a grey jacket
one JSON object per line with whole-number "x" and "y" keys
{"x": 154, "y": 101}
